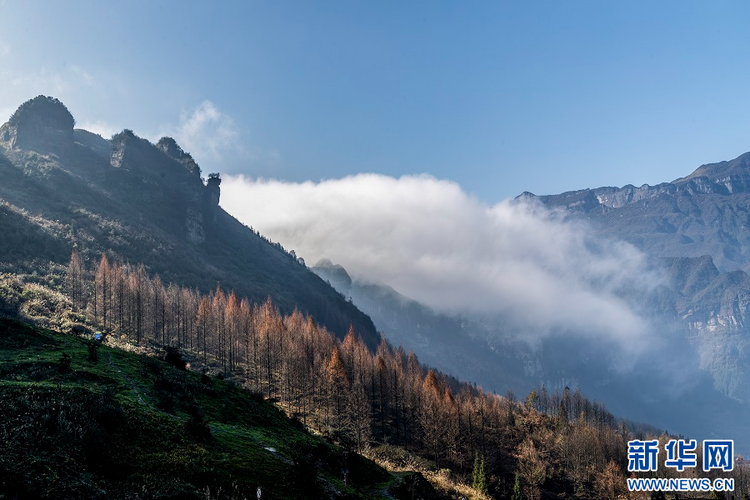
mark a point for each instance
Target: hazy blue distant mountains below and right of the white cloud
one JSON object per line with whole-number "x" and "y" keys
{"x": 696, "y": 230}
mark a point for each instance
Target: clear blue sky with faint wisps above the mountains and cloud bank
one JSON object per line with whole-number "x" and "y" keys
{"x": 499, "y": 97}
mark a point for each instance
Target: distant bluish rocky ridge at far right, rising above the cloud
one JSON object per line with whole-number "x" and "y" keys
{"x": 704, "y": 213}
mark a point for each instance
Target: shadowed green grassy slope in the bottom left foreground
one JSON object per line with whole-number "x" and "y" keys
{"x": 132, "y": 426}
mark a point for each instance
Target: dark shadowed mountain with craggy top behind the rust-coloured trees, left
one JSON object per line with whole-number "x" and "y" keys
{"x": 65, "y": 188}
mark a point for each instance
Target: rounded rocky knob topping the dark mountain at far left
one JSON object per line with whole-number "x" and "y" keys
{"x": 42, "y": 124}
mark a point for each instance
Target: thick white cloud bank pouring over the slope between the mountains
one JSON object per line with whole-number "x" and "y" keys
{"x": 433, "y": 242}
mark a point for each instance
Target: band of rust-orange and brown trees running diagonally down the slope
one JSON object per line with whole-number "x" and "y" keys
{"x": 561, "y": 443}
